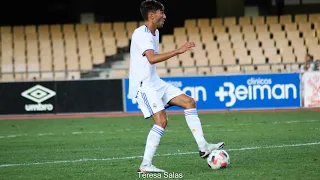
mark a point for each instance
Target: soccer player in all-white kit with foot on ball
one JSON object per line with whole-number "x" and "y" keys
{"x": 152, "y": 93}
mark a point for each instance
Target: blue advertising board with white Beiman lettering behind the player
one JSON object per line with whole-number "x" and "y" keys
{"x": 252, "y": 91}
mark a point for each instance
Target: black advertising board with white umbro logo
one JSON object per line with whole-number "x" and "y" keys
{"x": 71, "y": 96}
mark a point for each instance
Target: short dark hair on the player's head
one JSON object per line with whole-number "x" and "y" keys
{"x": 150, "y": 6}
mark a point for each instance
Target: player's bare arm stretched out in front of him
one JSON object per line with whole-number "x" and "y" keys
{"x": 156, "y": 58}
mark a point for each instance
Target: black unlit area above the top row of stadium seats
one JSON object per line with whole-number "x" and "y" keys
{"x": 69, "y": 11}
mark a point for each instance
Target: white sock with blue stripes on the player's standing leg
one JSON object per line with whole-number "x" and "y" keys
{"x": 152, "y": 144}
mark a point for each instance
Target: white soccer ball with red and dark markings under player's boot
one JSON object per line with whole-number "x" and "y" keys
{"x": 218, "y": 159}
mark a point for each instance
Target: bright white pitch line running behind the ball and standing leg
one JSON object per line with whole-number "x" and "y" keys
{"x": 169, "y": 154}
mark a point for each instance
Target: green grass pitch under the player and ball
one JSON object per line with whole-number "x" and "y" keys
{"x": 271, "y": 146}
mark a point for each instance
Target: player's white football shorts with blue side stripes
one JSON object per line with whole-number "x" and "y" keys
{"x": 152, "y": 100}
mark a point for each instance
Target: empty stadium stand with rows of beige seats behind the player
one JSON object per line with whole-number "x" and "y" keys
{"x": 224, "y": 46}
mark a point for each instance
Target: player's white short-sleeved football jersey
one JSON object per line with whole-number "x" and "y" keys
{"x": 141, "y": 71}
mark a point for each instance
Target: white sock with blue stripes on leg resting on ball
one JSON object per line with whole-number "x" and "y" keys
{"x": 194, "y": 124}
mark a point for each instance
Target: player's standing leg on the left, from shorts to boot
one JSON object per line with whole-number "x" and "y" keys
{"x": 151, "y": 106}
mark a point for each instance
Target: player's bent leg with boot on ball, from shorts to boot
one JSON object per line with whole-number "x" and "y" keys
{"x": 175, "y": 97}
